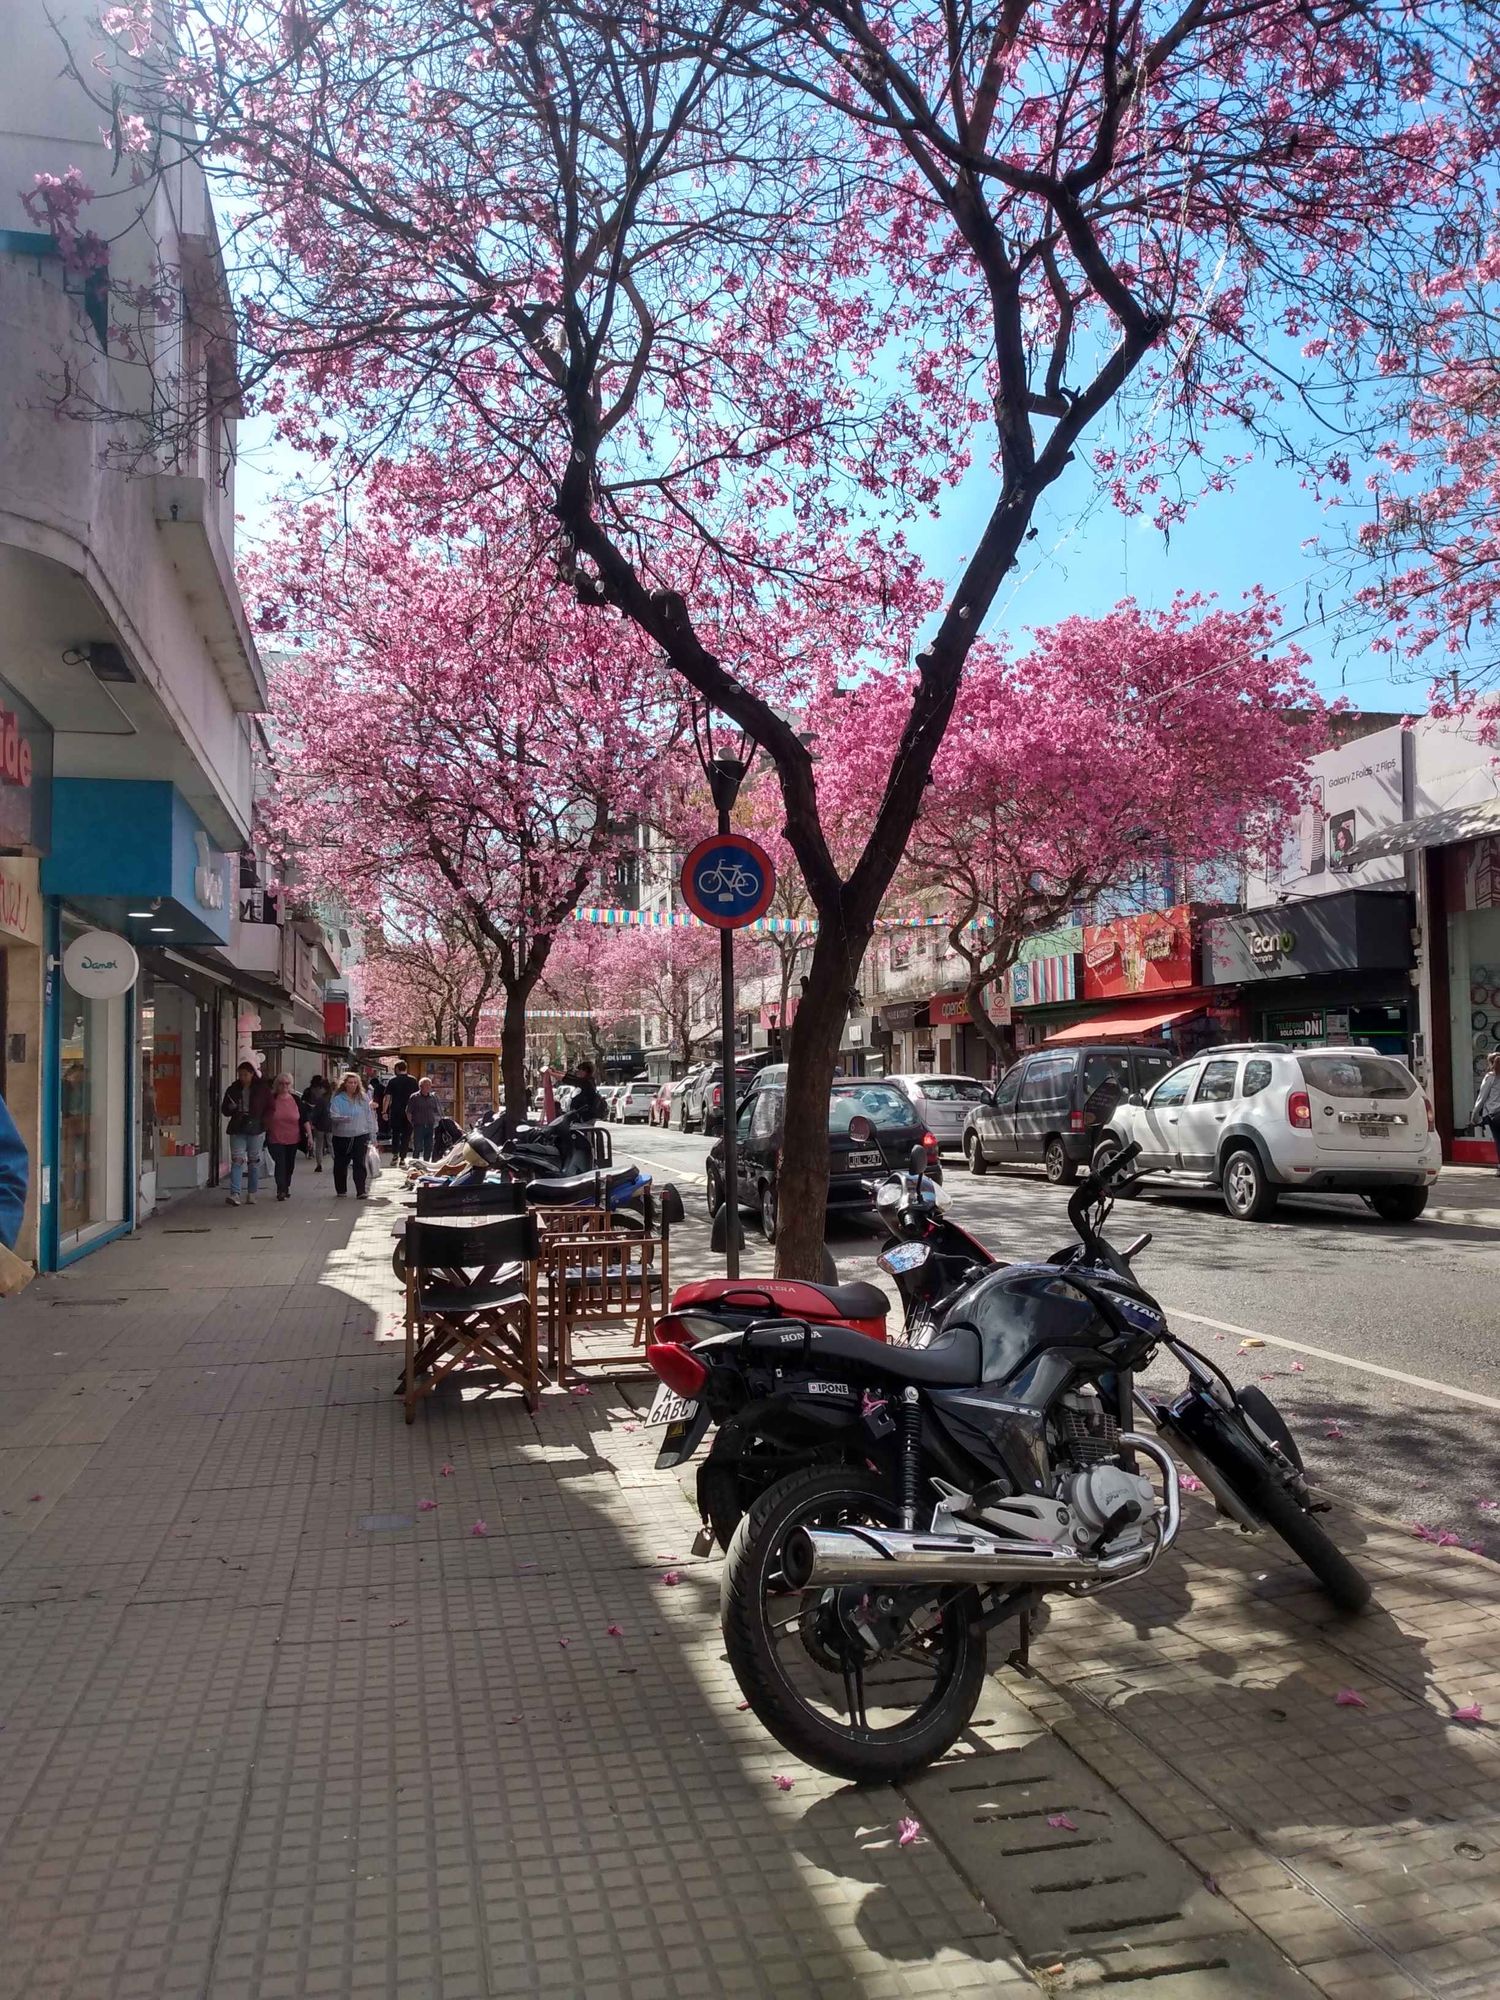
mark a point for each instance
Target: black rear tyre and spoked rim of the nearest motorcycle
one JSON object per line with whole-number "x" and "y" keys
{"x": 765, "y": 1639}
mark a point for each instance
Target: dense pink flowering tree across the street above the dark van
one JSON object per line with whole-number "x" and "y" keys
{"x": 1173, "y": 737}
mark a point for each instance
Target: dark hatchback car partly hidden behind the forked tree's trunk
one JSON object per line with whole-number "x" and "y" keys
{"x": 871, "y": 1135}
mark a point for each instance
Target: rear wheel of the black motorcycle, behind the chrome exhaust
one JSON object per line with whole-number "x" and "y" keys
{"x": 869, "y": 1685}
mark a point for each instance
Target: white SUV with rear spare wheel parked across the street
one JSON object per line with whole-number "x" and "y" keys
{"x": 1265, "y": 1121}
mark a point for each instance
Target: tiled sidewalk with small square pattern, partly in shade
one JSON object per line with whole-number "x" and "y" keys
{"x": 273, "y": 1729}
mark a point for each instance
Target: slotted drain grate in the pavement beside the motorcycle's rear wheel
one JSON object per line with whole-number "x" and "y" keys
{"x": 1081, "y": 1883}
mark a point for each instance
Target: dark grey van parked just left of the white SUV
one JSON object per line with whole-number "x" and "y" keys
{"x": 1051, "y": 1109}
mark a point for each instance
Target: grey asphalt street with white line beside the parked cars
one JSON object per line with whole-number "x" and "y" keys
{"x": 1381, "y": 1341}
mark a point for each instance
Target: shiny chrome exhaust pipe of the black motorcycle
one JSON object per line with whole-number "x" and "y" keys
{"x": 877, "y": 1557}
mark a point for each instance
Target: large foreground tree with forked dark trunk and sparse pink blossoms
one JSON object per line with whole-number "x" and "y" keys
{"x": 737, "y": 291}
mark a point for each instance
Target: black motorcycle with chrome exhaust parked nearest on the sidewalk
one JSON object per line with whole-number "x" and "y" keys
{"x": 923, "y": 1497}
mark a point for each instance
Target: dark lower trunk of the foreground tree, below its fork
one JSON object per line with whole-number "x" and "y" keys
{"x": 817, "y": 1033}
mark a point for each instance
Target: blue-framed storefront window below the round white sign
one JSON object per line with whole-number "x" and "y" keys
{"x": 93, "y": 1113}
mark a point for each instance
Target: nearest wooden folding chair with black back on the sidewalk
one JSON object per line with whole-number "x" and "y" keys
{"x": 471, "y": 1295}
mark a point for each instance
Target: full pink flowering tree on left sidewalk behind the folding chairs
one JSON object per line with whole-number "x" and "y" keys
{"x": 457, "y": 741}
